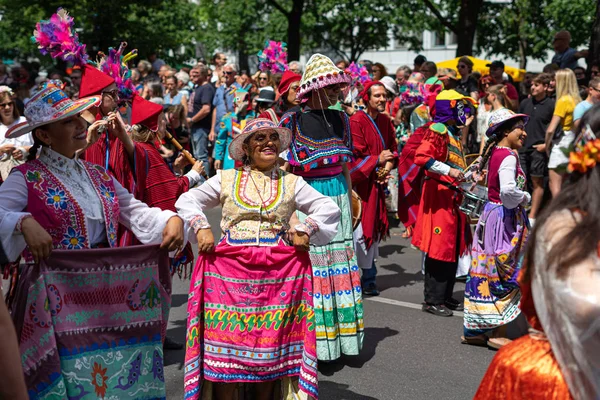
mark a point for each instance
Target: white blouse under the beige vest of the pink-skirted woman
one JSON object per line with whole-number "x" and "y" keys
{"x": 323, "y": 214}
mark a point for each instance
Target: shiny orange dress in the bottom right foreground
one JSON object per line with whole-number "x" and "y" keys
{"x": 525, "y": 369}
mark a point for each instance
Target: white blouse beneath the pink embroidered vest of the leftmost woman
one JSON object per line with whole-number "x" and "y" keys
{"x": 146, "y": 223}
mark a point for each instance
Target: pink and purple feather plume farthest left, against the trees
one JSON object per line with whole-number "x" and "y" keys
{"x": 57, "y": 37}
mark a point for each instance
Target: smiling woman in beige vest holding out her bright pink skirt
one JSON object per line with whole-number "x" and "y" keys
{"x": 250, "y": 314}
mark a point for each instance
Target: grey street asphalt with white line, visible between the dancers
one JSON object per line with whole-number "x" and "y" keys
{"x": 407, "y": 354}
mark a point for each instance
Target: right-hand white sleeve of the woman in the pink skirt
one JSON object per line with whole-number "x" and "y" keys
{"x": 323, "y": 215}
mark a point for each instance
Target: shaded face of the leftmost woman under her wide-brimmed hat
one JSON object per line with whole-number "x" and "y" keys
{"x": 66, "y": 136}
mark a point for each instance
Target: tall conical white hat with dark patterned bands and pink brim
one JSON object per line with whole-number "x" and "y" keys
{"x": 321, "y": 72}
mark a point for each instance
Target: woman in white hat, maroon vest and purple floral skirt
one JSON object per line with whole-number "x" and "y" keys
{"x": 492, "y": 294}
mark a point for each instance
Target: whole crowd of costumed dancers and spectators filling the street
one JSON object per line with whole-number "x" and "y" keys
{"x": 493, "y": 180}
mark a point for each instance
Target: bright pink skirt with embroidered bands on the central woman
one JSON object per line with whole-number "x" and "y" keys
{"x": 251, "y": 318}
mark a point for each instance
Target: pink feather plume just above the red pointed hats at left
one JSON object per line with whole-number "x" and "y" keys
{"x": 115, "y": 65}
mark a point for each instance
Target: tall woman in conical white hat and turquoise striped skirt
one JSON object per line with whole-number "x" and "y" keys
{"x": 320, "y": 148}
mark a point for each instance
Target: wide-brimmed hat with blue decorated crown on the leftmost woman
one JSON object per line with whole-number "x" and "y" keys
{"x": 50, "y": 104}
